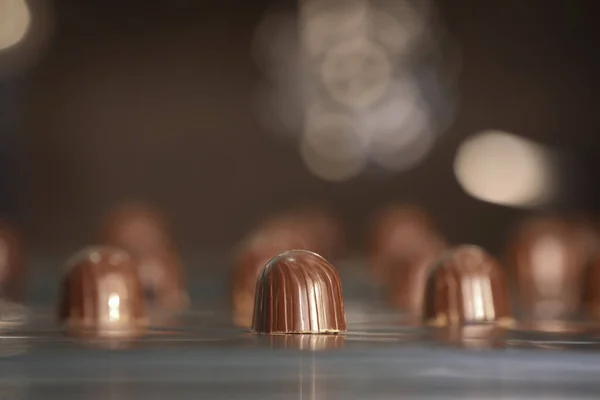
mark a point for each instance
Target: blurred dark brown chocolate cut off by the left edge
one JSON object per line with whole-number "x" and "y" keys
{"x": 12, "y": 264}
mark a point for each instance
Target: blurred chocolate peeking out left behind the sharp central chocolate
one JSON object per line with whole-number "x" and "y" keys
{"x": 252, "y": 255}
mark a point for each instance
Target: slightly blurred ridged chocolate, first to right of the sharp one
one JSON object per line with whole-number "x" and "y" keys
{"x": 467, "y": 286}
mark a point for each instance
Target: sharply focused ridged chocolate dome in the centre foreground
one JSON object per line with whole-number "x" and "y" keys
{"x": 299, "y": 292}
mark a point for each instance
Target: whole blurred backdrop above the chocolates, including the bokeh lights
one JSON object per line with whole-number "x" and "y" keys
{"x": 220, "y": 112}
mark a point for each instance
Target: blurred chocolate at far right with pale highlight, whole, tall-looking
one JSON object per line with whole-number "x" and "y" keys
{"x": 547, "y": 258}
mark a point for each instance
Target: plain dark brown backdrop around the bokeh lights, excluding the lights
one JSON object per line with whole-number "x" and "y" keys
{"x": 153, "y": 100}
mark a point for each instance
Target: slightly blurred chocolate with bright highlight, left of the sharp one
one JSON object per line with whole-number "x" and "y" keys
{"x": 101, "y": 295}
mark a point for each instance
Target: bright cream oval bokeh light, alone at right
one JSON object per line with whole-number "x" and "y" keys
{"x": 502, "y": 168}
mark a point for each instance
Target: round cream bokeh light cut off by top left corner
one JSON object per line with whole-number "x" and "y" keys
{"x": 15, "y": 19}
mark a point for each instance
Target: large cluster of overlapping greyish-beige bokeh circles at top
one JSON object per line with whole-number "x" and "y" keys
{"x": 364, "y": 60}
